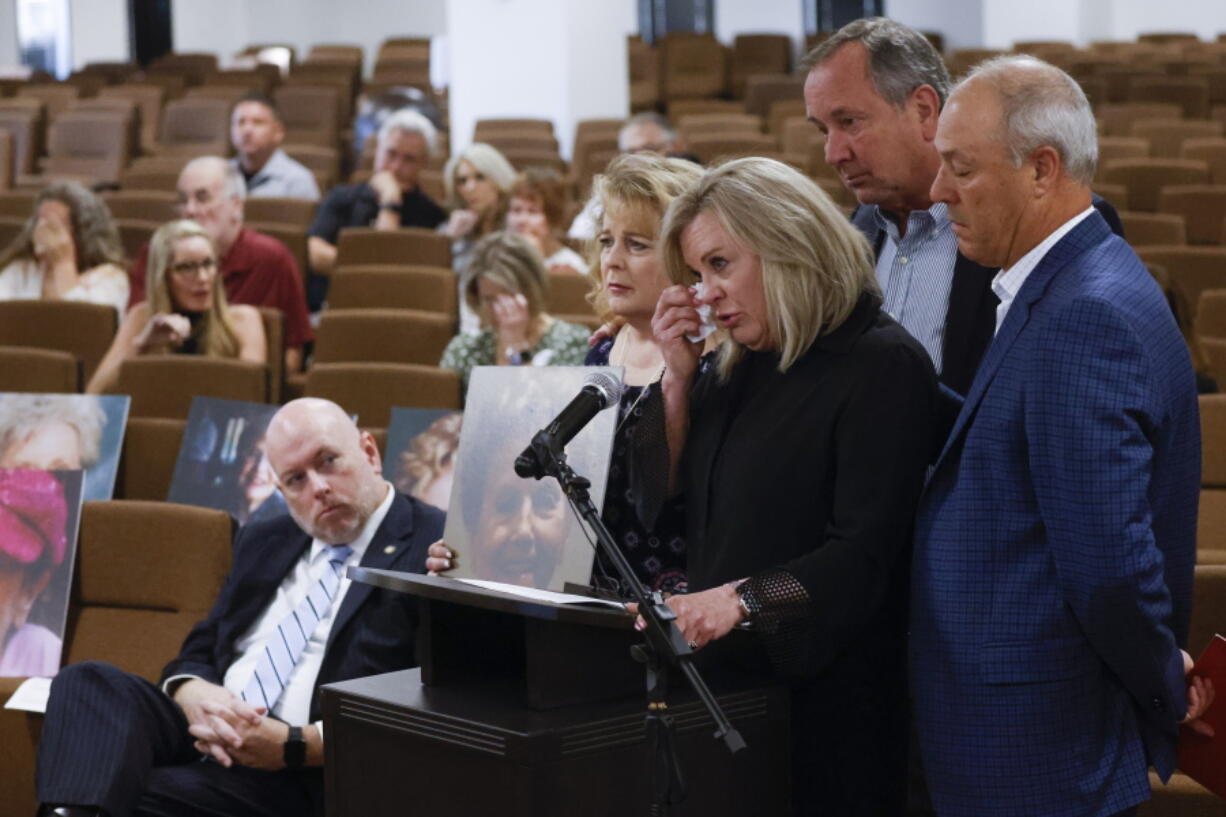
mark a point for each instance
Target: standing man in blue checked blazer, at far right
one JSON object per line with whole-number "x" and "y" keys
{"x": 1056, "y": 540}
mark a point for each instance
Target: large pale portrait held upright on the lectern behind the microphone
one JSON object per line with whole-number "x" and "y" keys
{"x": 508, "y": 529}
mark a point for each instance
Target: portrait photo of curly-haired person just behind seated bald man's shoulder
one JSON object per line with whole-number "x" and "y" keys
{"x": 421, "y": 457}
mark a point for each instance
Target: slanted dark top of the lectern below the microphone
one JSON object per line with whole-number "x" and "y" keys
{"x": 452, "y": 591}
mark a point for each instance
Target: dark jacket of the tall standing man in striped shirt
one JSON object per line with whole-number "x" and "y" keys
{"x": 970, "y": 320}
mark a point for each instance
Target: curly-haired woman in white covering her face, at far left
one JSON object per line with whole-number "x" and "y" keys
{"x": 68, "y": 251}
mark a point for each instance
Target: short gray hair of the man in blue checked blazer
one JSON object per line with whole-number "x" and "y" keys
{"x": 1041, "y": 105}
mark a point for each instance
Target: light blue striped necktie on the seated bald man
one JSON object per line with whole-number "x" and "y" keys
{"x": 285, "y": 648}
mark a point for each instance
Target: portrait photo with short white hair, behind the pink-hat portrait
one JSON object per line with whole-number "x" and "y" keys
{"x": 66, "y": 432}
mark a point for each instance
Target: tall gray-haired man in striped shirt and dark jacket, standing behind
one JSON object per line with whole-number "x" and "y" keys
{"x": 876, "y": 90}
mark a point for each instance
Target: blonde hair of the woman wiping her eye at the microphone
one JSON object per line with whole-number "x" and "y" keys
{"x": 816, "y": 266}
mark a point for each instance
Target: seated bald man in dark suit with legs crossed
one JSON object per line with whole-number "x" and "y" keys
{"x": 116, "y": 744}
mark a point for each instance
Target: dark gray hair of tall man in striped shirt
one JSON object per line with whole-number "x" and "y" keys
{"x": 900, "y": 59}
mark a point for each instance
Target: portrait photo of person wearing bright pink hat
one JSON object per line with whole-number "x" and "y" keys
{"x": 39, "y": 521}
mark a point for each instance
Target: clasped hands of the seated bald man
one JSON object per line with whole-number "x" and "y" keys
{"x": 229, "y": 729}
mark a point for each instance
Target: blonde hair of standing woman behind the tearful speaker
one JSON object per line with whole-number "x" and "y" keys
{"x": 641, "y": 186}
